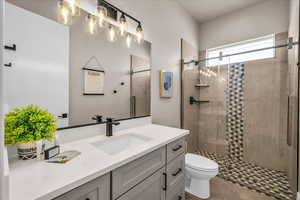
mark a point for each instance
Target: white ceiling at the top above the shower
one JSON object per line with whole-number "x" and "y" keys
{"x": 205, "y": 10}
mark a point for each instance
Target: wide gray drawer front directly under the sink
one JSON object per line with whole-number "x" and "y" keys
{"x": 127, "y": 176}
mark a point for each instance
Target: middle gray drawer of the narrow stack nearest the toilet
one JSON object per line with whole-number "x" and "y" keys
{"x": 176, "y": 171}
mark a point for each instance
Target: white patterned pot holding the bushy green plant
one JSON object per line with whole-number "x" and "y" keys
{"x": 26, "y": 151}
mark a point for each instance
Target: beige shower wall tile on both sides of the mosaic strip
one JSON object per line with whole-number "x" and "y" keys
{"x": 266, "y": 103}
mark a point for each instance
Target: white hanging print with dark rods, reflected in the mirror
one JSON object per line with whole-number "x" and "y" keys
{"x": 93, "y": 81}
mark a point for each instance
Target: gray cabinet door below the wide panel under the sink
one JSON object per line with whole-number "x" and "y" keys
{"x": 150, "y": 189}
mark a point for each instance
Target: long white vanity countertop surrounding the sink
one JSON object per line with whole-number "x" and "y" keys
{"x": 38, "y": 180}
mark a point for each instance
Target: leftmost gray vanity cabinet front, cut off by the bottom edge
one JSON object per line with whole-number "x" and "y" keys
{"x": 98, "y": 189}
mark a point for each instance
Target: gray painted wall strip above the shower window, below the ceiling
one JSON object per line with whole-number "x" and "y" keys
{"x": 262, "y": 19}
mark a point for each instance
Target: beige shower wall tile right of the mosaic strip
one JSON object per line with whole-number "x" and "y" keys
{"x": 266, "y": 103}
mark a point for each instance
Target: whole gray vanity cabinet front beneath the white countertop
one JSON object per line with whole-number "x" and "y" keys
{"x": 159, "y": 175}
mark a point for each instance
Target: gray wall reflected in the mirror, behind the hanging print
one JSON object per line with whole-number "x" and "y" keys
{"x": 115, "y": 60}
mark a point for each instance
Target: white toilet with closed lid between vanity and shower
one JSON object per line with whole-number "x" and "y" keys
{"x": 199, "y": 171}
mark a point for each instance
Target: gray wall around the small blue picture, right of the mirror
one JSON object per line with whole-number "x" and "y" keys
{"x": 165, "y": 23}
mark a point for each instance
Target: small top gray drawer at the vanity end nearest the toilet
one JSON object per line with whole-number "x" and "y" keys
{"x": 175, "y": 148}
